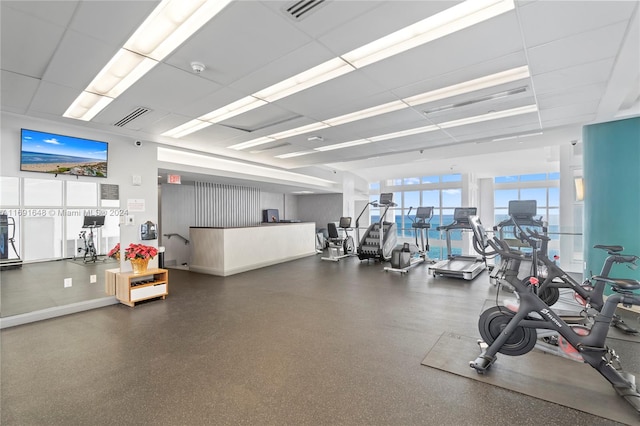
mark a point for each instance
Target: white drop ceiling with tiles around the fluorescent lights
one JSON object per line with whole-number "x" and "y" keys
{"x": 583, "y": 58}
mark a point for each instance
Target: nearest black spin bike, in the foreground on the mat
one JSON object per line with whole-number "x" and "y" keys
{"x": 514, "y": 333}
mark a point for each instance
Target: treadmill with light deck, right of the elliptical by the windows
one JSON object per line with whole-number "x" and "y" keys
{"x": 465, "y": 267}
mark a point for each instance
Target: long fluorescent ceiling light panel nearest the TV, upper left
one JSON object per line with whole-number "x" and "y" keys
{"x": 167, "y": 27}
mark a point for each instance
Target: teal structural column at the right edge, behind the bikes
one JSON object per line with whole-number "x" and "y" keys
{"x": 612, "y": 192}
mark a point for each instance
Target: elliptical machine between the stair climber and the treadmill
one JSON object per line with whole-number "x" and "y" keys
{"x": 403, "y": 258}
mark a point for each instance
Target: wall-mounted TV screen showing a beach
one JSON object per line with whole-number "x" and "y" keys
{"x": 58, "y": 154}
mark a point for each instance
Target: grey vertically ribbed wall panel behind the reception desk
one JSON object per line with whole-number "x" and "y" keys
{"x": 221, "y": 205}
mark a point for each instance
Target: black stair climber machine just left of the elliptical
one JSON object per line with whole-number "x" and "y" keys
{"x": 381, "y": 237}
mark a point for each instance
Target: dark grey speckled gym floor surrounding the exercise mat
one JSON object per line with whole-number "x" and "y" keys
{"x": 302, "y": 343}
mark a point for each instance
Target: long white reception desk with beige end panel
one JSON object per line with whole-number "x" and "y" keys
{"x": 228, "y": 251}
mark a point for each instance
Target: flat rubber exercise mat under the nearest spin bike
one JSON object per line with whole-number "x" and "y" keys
{"x": 547, "y": 377}
